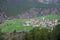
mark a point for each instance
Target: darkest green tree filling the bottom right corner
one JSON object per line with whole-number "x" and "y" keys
{"x": 56, "y": 33}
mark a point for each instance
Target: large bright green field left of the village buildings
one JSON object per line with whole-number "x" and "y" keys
{"x": 15, "y": 24}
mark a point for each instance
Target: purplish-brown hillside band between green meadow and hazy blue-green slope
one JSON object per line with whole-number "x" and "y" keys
{"x": 35, "y": 12}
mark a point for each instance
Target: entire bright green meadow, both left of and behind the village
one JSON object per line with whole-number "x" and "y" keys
{"x": 17, "y": 24}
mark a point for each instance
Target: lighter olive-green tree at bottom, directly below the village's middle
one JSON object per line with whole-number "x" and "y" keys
{"x": 39, "y": 34}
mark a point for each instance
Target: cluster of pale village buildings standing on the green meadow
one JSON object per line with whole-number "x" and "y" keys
{"x": 43, "y": 22}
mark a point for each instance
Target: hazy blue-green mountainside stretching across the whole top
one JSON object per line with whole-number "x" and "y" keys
{"x": 15, "y": 7}
